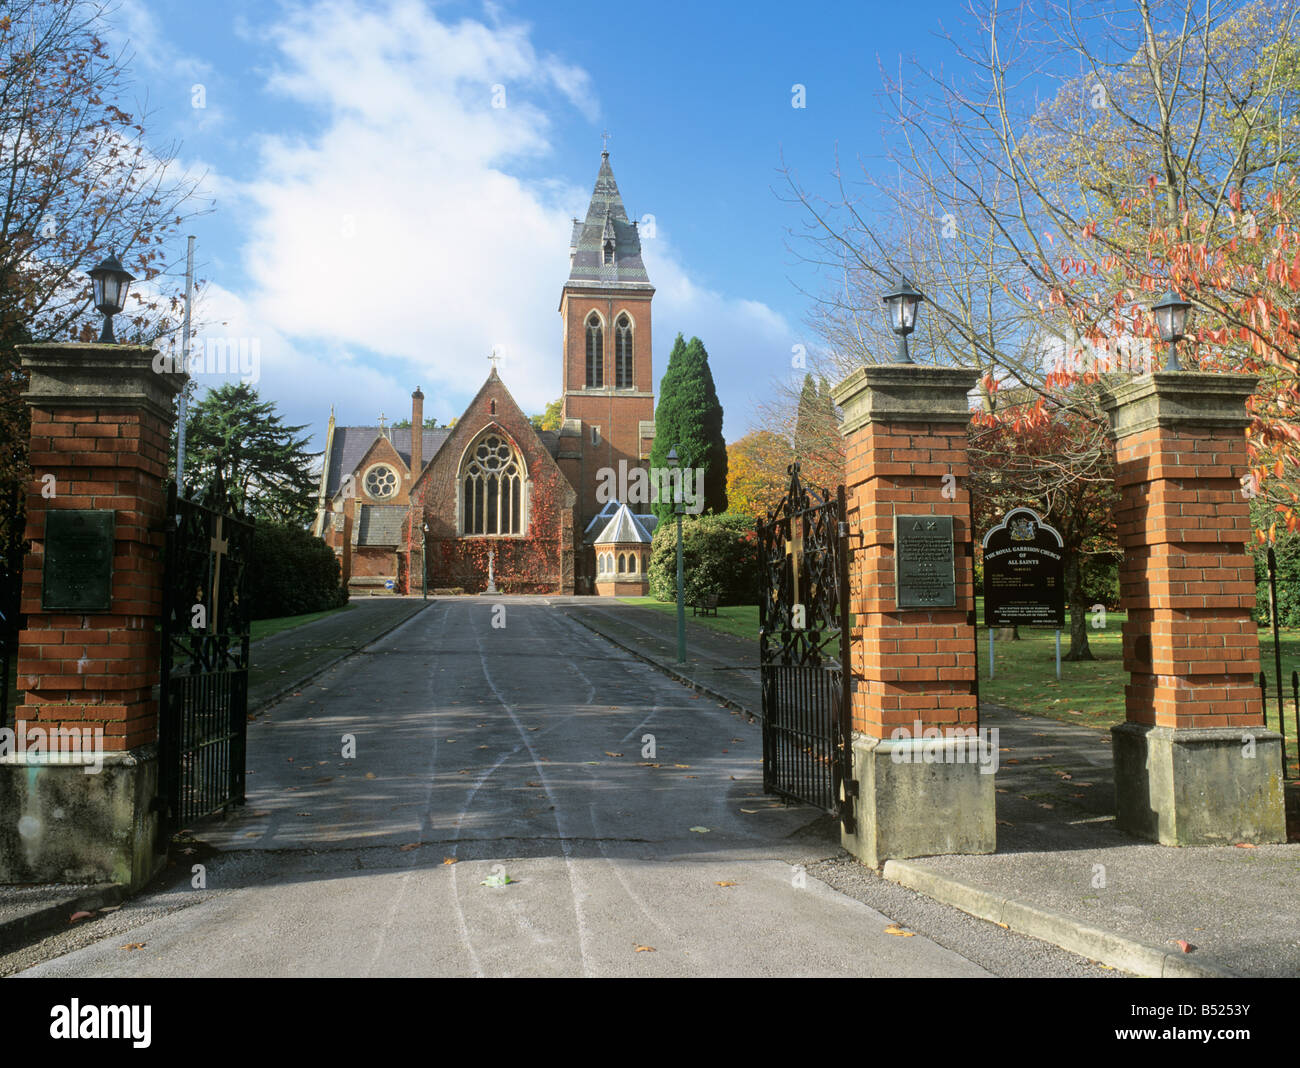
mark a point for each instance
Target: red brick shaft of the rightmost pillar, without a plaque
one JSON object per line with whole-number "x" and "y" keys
{"x": 1186, "y": 579}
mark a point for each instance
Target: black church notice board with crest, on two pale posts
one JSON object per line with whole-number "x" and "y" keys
{"x": 1024, "y": 578}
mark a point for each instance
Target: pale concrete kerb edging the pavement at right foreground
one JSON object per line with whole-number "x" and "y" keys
{"x": 1094, "y": 944}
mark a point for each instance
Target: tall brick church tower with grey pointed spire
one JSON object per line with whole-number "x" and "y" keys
{"x": 608, "y": 383}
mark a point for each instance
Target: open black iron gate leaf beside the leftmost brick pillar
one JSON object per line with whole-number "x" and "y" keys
{"x": 203, "y": 705}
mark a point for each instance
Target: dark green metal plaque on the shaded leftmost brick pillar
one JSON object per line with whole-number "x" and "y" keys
{"x": 79, "y": 571}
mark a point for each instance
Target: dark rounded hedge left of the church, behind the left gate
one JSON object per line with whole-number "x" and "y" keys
{"x": 292, "y": 574}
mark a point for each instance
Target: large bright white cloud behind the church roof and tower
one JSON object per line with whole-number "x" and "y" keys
{"x": 395, "y": 246}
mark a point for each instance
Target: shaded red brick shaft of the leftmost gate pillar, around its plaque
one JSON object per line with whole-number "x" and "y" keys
{"x": 98, "y": 671}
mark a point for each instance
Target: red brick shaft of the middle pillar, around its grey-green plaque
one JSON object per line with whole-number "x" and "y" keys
{"x": 912, "y": 665}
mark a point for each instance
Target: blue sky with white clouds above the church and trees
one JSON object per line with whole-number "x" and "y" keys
{"x": 379, "y": 225}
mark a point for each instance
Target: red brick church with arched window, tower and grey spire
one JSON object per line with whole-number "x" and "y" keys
{"x": 492, "y": 500}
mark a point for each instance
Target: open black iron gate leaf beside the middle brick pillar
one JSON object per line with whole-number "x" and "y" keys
{"x": 804, "y": 650}
